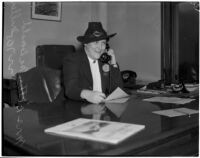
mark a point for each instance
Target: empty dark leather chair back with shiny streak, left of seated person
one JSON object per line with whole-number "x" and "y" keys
{"x": 38, "y": 85}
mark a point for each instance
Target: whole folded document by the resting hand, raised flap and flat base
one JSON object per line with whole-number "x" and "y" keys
{"x": 117, "y": 96}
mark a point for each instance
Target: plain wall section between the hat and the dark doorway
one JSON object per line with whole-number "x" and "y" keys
{"x": 139, "y": 37}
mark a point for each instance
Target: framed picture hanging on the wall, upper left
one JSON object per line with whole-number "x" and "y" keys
{"x": 46, "y": 11}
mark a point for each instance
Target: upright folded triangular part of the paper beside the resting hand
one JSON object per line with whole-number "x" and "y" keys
{"x": 117, "y": 94}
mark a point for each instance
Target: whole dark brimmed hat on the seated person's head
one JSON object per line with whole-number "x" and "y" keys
{"x": 94, "y": 32}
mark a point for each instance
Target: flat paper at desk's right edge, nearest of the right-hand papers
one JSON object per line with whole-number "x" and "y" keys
{"x": 176, "y": 112}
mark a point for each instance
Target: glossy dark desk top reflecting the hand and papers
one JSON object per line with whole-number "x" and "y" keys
{"x": 24, "y": 126}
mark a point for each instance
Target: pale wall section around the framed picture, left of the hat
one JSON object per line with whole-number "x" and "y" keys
{"x": 22, "y": 34}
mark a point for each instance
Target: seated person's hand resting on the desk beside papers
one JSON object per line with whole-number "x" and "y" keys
{"x": 93, "y": 96}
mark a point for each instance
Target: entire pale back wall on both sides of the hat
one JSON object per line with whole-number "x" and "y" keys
{"x": 137, "y": 44}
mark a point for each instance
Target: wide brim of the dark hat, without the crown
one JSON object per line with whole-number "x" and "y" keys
{"x": 85, "y": 39}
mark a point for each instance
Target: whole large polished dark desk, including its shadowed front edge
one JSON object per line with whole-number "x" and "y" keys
{"x": 23, "y": 131}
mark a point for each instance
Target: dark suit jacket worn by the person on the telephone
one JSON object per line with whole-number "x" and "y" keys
{"x": 77, "y": 75}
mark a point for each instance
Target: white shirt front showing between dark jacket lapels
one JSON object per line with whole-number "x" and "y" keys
{"x": 96, "y": 76}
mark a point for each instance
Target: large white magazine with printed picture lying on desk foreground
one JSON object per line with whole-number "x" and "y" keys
{"x": 96, "y": 130}
